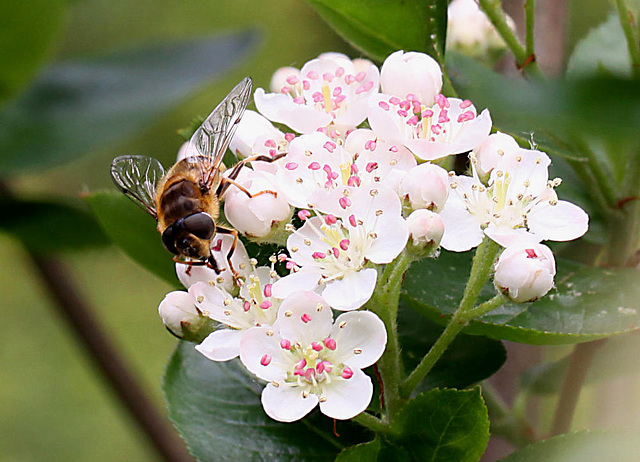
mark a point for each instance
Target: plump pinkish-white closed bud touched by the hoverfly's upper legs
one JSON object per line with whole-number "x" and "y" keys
{"x": 259, "y": 217}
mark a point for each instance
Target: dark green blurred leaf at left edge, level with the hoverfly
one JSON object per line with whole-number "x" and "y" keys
{"x": 46, "y": 226}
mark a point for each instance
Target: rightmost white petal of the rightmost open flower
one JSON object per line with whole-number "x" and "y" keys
{"x": 561, "y": 222}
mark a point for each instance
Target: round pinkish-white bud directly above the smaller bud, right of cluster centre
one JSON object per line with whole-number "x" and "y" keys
{"x": 426, "y": 186}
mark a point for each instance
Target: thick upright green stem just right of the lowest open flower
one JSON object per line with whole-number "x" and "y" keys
{"x": 385, "y": 304}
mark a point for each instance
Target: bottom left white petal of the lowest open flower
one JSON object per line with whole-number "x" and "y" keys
{"x": 286, "y": 404}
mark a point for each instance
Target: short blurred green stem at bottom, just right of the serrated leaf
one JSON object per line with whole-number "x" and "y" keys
{"x": 503, "y": 420}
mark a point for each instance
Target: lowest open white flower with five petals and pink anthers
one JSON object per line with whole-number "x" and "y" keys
{"x": 308, "y": 360}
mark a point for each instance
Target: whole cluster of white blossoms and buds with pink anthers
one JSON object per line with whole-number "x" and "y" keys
{"x": 359, "y": 180}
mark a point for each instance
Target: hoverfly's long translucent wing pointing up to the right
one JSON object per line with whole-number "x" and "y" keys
{"x": 212, "y": 138}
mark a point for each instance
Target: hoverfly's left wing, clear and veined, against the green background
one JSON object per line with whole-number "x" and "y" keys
{"x": 138, "y": 177}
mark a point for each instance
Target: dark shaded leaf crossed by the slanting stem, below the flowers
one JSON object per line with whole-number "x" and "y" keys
{"x": 468, "y": 360}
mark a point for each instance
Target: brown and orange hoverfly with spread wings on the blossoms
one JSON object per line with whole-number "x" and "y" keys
{"x": 185, "y": 201}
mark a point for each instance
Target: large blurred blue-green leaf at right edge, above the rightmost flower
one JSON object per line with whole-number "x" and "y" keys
{"x": 561, "y": 110}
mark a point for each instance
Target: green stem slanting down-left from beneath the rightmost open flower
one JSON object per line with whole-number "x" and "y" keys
{"x": 480, "y": 272}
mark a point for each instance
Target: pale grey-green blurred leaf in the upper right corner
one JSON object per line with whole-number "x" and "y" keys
{"x": 603, "y": 51}
